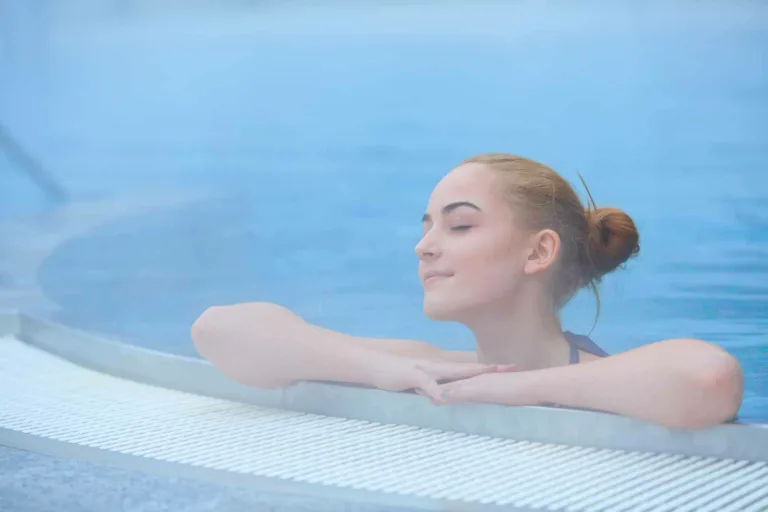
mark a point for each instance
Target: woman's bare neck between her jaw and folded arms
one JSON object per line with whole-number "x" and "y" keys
{"x": 526, "y": 334}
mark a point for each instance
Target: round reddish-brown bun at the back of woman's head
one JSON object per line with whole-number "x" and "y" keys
{"x": 613, "y": 239}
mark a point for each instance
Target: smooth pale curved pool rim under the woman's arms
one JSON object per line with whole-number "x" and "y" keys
{"x": 538, "y": 424}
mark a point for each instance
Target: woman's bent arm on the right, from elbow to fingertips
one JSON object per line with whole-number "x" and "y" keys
{"x": 683, "y": 383}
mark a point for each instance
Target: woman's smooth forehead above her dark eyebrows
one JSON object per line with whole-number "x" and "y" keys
{"x": 472, "y": 182}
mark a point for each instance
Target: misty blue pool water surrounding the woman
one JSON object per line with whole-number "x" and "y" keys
{"x": 314, "y": 136}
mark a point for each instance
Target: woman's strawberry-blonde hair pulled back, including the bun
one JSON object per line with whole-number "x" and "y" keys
{"x": 594, "y": 241}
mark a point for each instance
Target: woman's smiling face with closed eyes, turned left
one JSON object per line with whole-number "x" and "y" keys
{"x": 472, "y": 254}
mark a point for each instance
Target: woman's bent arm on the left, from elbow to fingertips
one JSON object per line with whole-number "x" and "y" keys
{"x": 266, "y": 345}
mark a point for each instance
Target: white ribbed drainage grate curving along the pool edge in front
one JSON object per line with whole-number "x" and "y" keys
{"x": 51, "y": 398}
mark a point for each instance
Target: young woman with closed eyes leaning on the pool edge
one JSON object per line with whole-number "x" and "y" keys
{"x": 506, "y": 243}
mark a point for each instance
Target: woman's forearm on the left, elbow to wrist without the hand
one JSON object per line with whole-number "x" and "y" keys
{"x": 265, "y": 345}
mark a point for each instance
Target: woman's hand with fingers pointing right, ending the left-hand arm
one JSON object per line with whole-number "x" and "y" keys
{"x": 425, "y": 376}
